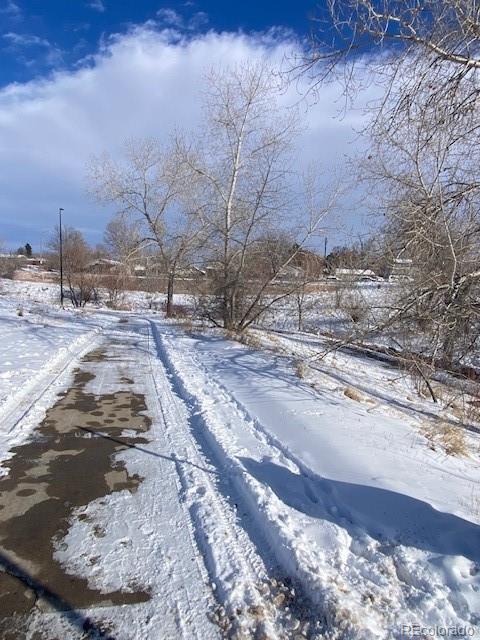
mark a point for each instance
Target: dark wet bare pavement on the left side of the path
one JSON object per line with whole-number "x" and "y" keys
{"x": 68, "y": 464}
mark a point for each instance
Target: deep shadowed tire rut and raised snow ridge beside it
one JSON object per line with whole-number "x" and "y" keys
{"x": 245, "y": 560}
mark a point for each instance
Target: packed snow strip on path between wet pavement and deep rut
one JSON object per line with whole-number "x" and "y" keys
{"x": 181, "y": 540}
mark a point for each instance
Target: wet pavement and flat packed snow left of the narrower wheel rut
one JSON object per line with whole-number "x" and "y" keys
{"x": 129, "y": 537}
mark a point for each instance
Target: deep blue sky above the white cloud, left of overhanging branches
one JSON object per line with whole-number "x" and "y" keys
{"x": 40, "y": 35}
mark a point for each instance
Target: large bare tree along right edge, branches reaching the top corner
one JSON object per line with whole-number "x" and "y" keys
{"x": 423, "y": 162}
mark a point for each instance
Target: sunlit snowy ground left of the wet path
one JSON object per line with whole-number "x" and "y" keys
{"x": 37, "y": 346}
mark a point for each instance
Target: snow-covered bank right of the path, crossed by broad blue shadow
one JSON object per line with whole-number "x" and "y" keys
{"x": 355, "y": 504}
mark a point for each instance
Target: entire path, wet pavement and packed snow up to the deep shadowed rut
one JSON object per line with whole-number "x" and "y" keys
{"x": 136, "y": 532}
